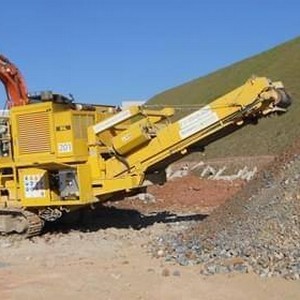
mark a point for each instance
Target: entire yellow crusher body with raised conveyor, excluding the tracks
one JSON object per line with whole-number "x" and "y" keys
{"x": 107, "y": 151}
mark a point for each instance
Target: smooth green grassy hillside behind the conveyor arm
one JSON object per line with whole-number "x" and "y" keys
{"x": 272, "y": 134}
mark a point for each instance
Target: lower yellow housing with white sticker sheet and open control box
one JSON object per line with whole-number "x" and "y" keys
{"x": 42, "y": 187}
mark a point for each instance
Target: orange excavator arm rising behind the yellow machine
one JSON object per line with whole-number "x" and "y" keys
{"x": 13, "y": 82}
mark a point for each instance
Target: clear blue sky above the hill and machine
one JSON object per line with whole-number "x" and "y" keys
{"x": 107, "y": 51}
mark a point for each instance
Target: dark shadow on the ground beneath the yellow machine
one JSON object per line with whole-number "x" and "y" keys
{"x": 111, "y": 217}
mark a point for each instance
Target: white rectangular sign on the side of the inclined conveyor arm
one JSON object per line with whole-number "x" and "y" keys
{"x": 197, "y": 121}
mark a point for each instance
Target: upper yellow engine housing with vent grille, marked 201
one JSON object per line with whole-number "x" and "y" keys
{"x": 50, "y": 132}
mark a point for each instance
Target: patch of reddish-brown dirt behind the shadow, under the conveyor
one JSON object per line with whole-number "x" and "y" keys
{"x": 185, "y": 195}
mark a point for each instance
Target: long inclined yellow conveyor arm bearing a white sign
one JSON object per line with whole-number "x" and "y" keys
{"x": 202, "y": 123}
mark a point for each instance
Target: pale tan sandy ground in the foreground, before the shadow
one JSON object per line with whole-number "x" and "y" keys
{"x": 115, "y": 264}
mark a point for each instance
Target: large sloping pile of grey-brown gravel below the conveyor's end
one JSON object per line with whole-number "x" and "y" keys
{"x": 257, "y": 231}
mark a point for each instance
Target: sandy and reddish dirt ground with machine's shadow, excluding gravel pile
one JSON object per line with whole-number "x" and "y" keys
{"x": 110, "y": 258}
